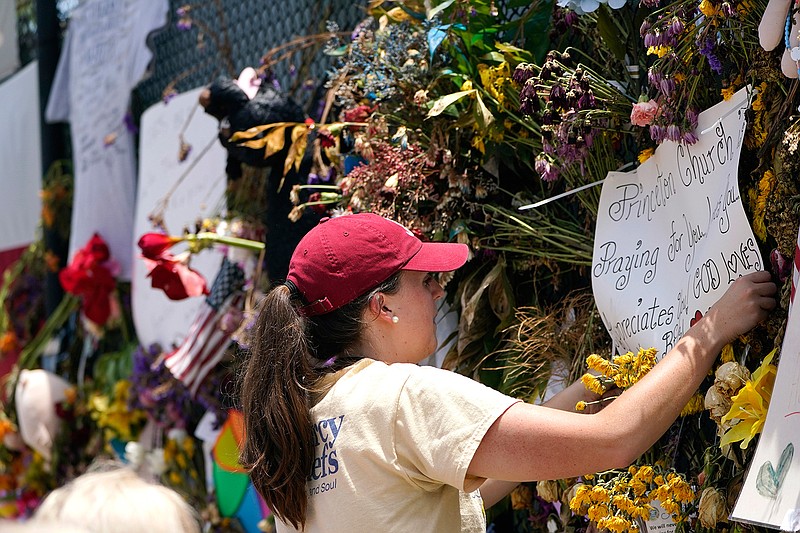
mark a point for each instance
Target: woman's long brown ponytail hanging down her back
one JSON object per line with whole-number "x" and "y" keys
{"x": 278, "y": 448}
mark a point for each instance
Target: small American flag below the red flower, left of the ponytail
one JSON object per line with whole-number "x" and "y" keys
{"x": 206, "y": 342}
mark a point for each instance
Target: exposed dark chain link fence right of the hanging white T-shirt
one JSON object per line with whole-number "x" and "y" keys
{"x": 229, "y": 35}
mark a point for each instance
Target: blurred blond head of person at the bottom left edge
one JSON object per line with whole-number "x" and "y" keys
{"x": 117, "y": 501}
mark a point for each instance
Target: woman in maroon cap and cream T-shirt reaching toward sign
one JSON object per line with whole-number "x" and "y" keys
{"x": 343, "y": 434}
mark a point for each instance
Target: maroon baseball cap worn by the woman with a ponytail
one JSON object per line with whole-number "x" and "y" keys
{"x": 344, "y": 257}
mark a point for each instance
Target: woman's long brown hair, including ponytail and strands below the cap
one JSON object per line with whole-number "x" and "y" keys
{"x": 288, "y": 355}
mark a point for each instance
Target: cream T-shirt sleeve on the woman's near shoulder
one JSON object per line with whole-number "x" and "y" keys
{"x": 441, "y": 419}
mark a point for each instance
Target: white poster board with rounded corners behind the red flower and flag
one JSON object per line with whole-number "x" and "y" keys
{"x": 201, "y": 194}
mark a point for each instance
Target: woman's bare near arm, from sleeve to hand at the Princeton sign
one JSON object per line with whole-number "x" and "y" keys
{"x": 531, "y": 442}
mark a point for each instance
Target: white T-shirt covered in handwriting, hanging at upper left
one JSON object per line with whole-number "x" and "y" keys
{"x": 105, "y": 54}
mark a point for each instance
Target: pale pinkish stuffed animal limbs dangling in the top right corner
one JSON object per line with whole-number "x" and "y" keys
{"x": 775, "y": 28}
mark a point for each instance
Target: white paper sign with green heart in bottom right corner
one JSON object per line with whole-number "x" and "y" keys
{"x": 771, "y": 492}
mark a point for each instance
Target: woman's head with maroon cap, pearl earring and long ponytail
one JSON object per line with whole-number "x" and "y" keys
{"x": 358, "y": 286}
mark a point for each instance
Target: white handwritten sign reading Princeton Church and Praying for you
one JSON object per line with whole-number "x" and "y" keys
{"x": 672, "y": 235}
